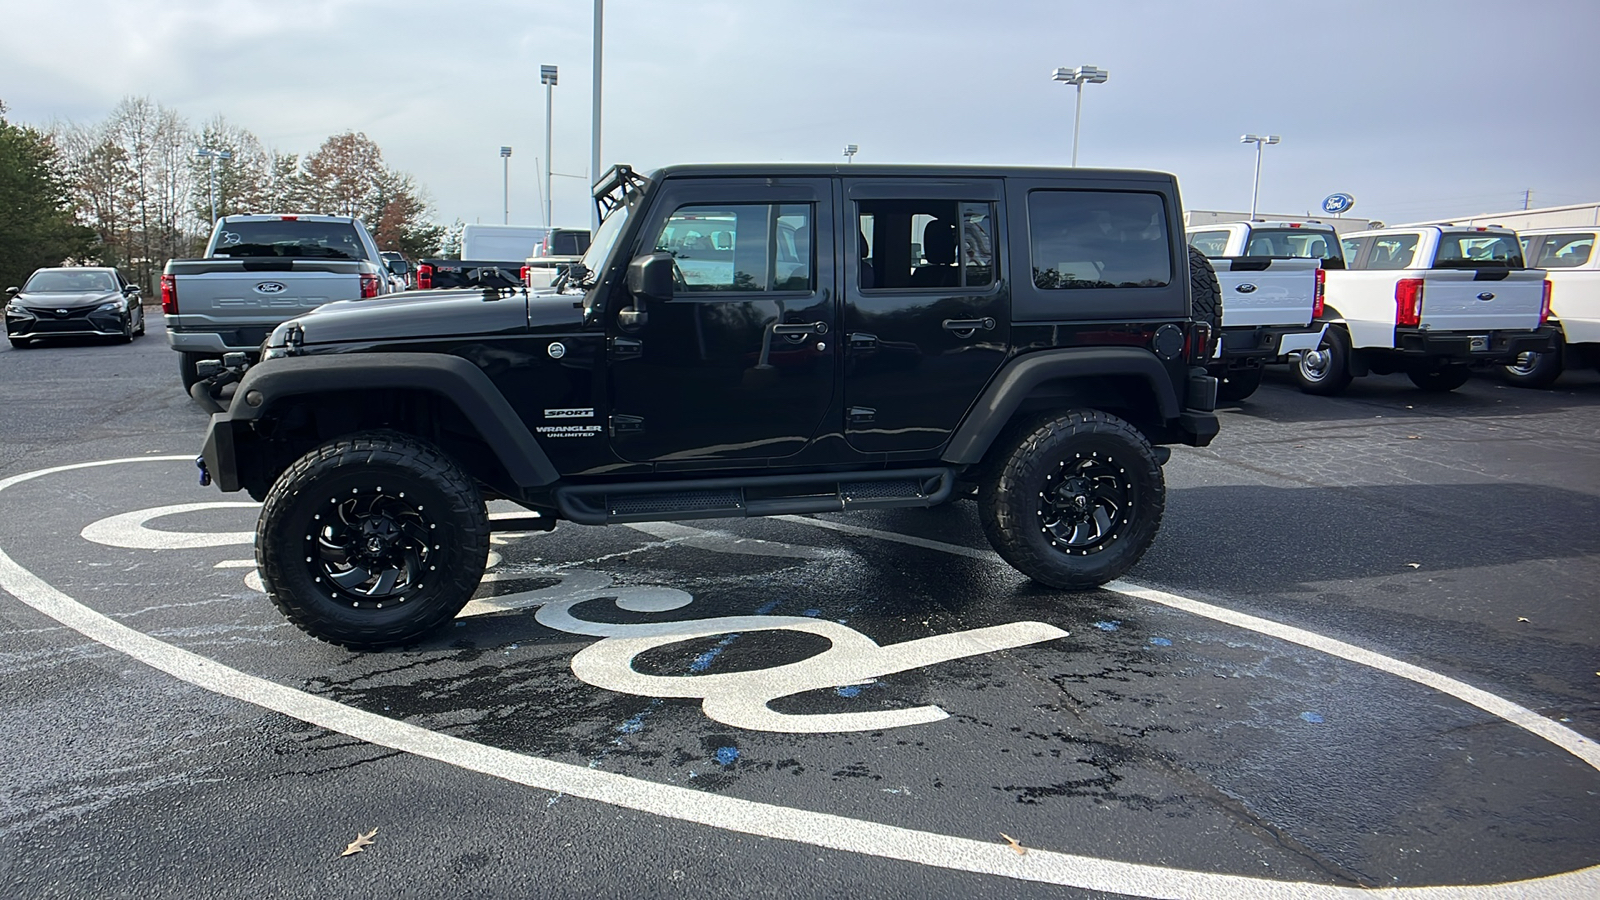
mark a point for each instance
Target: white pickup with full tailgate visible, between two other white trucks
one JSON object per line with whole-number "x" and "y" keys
{"x": 1430, "y": 302}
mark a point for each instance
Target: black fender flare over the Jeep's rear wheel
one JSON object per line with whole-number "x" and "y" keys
{"x": 1014, "y": 384}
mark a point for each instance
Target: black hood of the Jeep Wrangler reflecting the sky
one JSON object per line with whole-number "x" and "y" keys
{"x": 430, "y": 315}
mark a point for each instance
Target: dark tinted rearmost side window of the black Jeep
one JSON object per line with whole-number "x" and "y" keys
{"x": 1098, "y": 239}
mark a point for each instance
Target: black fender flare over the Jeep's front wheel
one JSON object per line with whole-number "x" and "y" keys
{"x": 449, "y": 377}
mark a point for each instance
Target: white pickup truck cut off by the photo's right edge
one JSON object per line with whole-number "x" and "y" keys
{"x": 1574, "y": 270}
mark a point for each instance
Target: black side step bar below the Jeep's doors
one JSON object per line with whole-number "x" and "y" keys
{"x": 761, "y": 496}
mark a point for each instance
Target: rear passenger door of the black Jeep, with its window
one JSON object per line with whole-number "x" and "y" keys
{"x": 926, "y": 307}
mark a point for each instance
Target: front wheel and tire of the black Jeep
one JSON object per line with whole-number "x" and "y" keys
{"x": 372, "y": 540}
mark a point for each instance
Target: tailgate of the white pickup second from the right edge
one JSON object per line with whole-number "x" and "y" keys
{"x": 1482, "y": 300}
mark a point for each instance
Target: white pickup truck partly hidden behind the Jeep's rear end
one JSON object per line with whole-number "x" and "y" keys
{"x": 1273, "y": 294}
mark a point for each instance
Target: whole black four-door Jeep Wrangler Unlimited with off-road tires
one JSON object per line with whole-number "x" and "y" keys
{"x": 742, "y": 340}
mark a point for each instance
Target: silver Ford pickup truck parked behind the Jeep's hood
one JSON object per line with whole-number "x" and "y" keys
{"x": 260, "y": 271}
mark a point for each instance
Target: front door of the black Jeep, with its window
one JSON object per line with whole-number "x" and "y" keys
{"x": 740, "y": 364}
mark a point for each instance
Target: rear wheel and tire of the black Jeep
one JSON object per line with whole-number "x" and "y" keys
{"x": 1076, "y": 502}
